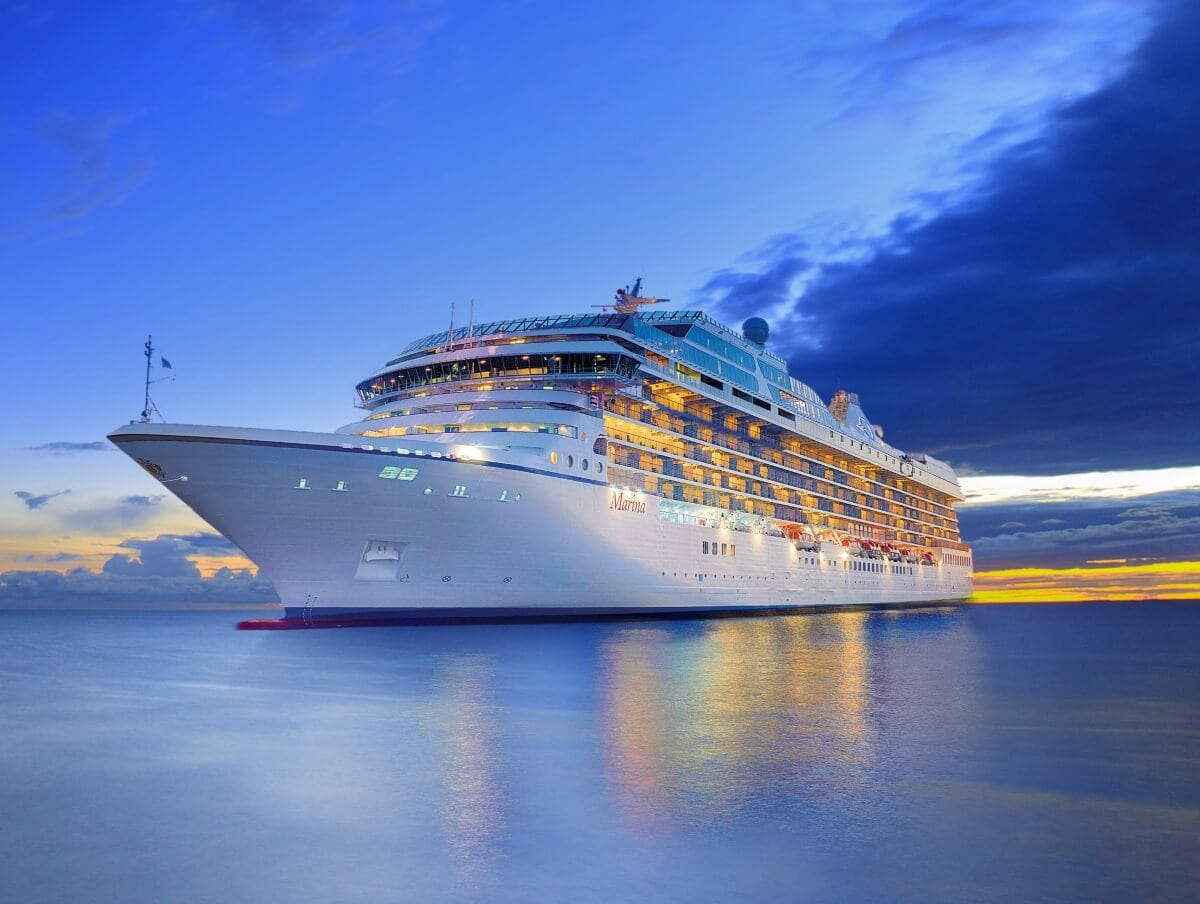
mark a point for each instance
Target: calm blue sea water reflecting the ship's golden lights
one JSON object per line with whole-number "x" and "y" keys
{"x": 988, "y": 753}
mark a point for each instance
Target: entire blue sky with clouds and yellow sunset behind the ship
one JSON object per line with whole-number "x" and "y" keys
{"x": 983, "y": 218}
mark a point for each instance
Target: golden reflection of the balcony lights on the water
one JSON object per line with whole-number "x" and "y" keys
{"x": 681, "y": 719}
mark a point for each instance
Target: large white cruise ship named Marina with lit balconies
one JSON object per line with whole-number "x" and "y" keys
{"x": 626, "y": 462}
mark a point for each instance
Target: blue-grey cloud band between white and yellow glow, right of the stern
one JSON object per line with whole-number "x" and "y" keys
{"x": 1163, "y": 528}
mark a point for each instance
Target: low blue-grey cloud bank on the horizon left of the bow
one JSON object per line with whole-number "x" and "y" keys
{"x": 159, "y": 573}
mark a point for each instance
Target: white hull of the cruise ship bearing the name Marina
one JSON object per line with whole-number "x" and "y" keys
{"x": 503, "y": 536}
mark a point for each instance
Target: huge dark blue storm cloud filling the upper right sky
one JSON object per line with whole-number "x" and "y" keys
{"x": 1046, "y": 321}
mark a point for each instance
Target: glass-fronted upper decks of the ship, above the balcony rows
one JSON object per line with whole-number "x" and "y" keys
{"x": 620, "y": 350}
